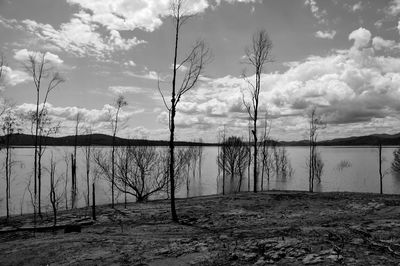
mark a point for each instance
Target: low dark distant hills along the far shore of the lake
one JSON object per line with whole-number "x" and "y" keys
{"x": 106, "y": 140}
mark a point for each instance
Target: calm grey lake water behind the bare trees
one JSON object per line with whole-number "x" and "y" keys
{"x": 361, "y": 176}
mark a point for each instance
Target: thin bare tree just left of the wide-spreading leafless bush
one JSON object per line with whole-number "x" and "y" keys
{"x": 119, "y": 103}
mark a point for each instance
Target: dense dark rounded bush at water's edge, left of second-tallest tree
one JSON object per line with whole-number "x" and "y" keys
{"x": 233, "y": 158}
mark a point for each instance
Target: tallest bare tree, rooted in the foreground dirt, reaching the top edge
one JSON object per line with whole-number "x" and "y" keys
{"x": 194, "y": 62}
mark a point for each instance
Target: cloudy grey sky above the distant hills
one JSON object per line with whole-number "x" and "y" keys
{"x": 341, "y": 56}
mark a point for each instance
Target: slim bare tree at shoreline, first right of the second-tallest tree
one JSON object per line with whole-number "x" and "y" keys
{"x": 314, "y": 162}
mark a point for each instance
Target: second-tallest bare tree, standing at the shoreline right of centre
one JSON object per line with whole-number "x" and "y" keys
{"x": 257, "y": 56}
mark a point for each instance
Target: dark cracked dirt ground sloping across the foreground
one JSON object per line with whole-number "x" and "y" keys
{"x": 268, "y": 228}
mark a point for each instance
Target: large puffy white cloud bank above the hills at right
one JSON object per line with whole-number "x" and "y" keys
{"x": 350, "y": 87}
